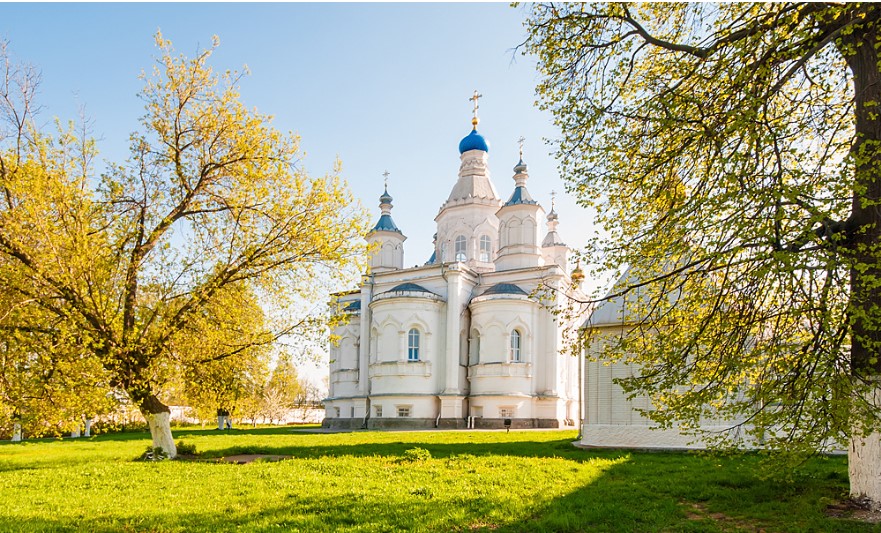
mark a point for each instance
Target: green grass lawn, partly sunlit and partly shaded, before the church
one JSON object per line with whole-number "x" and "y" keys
{"x": 368, "y": 481}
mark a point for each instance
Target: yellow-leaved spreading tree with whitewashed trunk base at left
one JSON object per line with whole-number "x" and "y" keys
{"x": 128, "y": 263}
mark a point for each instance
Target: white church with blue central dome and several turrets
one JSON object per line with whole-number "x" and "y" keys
{"x": 469, "y": 337}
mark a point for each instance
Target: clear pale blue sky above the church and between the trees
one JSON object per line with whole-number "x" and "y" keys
{"x": 381, "y": 86}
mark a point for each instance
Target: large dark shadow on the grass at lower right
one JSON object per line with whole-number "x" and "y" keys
{"x": 657, "y": 492}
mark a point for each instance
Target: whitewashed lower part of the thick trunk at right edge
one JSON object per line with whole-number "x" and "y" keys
{"x": 864, "y": 462}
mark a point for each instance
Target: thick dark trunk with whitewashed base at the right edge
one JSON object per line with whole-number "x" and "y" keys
{"x": 864, "y": 250}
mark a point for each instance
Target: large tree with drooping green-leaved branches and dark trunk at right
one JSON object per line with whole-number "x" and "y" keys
{"x": 732, "y": 153}
